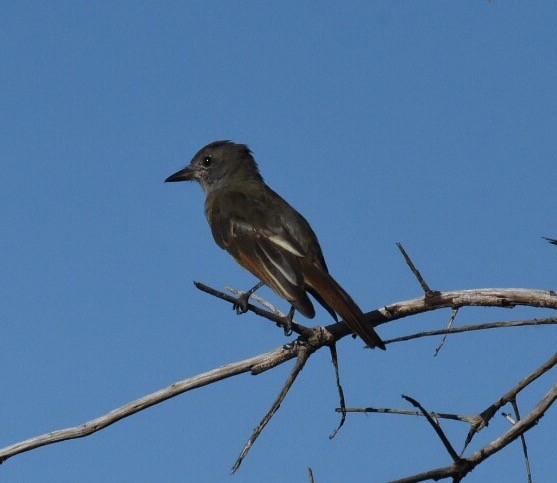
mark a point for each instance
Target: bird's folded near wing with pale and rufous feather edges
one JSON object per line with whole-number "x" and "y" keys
{"x": 241, "y": 226}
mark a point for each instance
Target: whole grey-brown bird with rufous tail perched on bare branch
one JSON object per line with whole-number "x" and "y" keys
{"x": 268, "y": 237}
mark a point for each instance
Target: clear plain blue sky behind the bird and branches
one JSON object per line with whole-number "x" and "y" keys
{"x": 427, "y": 123}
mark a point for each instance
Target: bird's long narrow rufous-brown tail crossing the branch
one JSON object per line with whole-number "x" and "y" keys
{"x": 339, "y": 300}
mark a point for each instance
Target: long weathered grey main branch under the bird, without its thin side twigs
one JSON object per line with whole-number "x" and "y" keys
{"x": 315, "y": 338}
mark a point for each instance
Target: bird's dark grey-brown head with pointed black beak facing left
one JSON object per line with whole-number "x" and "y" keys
{"x": 219, "y": 164}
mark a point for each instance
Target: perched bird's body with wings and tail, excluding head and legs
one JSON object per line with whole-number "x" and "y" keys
{"x": 275, "y": 243}
